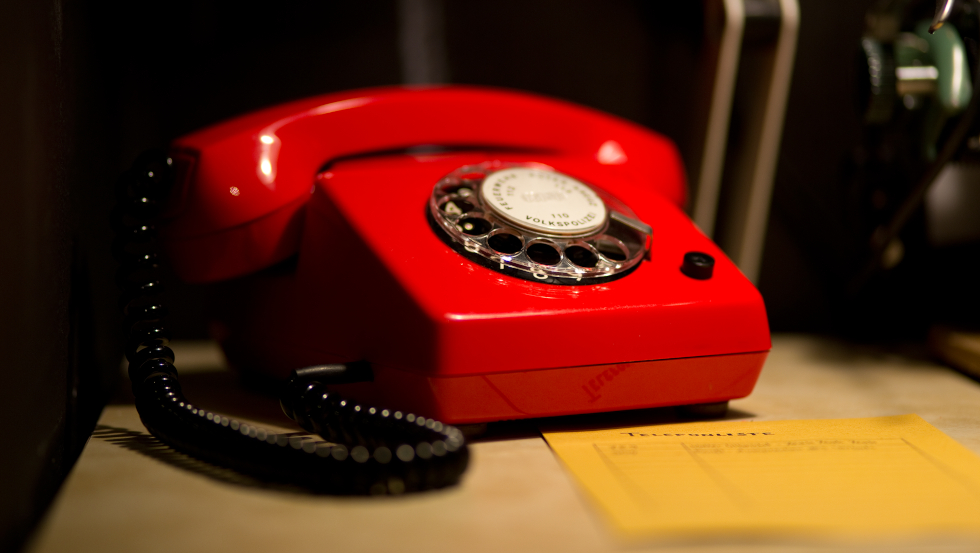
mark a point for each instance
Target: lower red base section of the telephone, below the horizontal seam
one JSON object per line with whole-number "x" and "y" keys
{"x": 702, "y": 384}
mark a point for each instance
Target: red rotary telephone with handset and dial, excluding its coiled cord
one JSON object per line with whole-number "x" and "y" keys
{"x": 339, "y": 221}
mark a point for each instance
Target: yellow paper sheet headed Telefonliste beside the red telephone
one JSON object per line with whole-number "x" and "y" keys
{"x": 894, "y": 476}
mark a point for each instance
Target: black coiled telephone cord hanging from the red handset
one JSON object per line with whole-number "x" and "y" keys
{"x": 370, "y": 450}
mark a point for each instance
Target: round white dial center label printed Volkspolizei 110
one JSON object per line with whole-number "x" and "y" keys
{"x": 544, "y": 201}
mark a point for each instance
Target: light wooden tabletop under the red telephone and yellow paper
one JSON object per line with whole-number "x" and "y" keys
{"x": 129, "y": 493}
